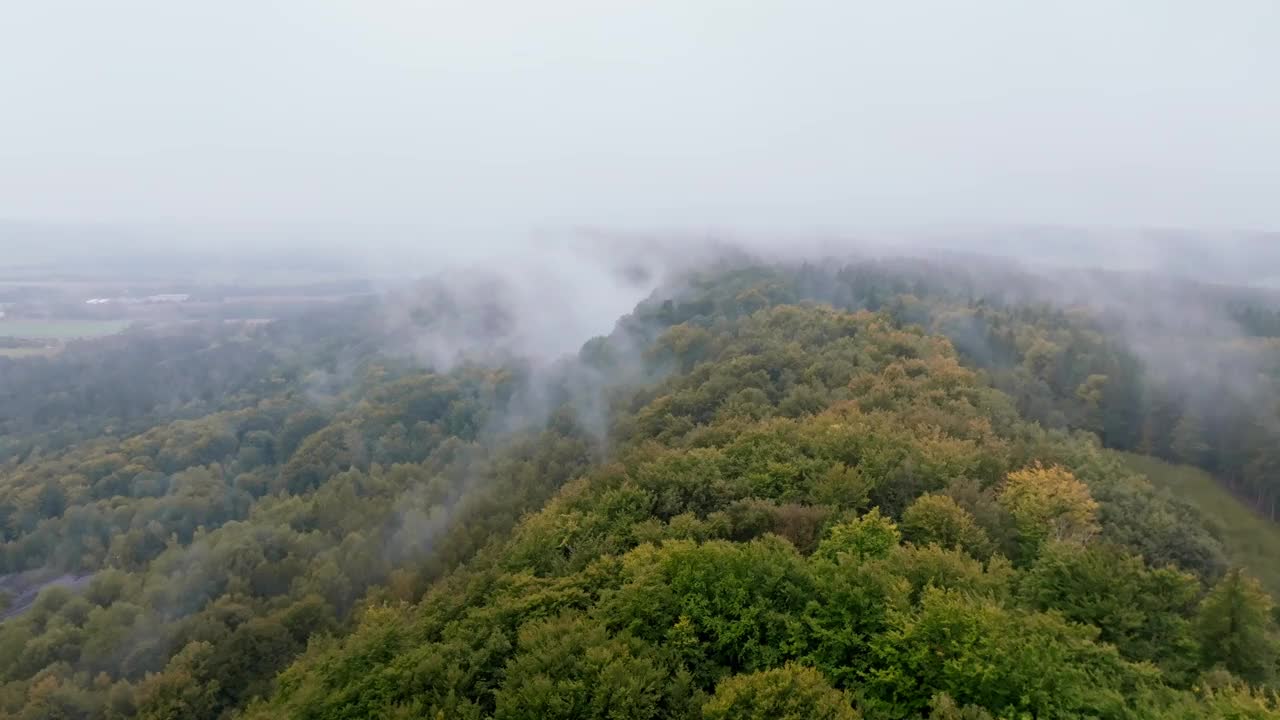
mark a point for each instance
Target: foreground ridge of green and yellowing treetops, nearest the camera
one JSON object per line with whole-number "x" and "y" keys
{"x": 817, "y": 513}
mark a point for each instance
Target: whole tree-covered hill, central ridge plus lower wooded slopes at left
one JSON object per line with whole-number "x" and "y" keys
{"x": 879, "y": 490}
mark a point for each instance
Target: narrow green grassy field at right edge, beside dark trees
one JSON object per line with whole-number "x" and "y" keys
{"x": 1251, "y": 540}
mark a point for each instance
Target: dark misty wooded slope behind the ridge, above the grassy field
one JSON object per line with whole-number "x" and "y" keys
{"x": 1172, "y": 368}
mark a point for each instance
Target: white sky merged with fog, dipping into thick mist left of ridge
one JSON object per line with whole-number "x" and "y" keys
{"x": 547, "y": 166}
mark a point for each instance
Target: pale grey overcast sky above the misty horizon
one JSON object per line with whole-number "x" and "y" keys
{"x": 642, "y": 115}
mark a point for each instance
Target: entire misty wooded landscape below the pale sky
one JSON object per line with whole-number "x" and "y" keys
{"x": 212, "y": 481}
